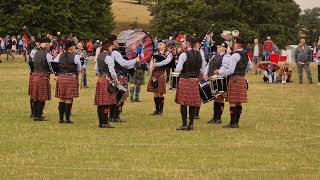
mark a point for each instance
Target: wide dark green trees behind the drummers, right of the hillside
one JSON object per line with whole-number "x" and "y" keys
{"x": 253, "y": 18}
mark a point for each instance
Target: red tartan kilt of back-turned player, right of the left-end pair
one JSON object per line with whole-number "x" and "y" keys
{"x": 67, "y": 86}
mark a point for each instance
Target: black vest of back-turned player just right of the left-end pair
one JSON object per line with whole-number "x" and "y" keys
{"x": 66, "y": 63}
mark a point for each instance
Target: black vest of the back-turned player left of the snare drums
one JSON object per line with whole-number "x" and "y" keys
{"x": 192, "y": 66}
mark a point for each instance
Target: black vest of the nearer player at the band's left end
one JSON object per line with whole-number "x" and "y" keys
{"x": 40, "y": 61}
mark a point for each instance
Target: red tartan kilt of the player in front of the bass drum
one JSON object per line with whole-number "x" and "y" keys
{"x": 103, "y": 97}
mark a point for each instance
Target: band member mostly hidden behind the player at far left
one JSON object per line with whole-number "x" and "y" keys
{"x": 31, "y": 68}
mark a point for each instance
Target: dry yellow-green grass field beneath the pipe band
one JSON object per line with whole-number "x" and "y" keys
{"x": 278, "y": 137}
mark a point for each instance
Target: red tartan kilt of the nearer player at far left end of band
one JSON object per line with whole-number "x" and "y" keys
{"x": 40, "y": 87}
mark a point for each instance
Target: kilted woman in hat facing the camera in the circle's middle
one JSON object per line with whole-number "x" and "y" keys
{"x": 157, "y": 81}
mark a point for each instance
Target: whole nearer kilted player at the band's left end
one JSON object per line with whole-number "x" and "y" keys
{"x": 40, "y": 88}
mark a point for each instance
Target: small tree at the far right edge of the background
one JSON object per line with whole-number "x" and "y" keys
{"x": 309, "y": 24}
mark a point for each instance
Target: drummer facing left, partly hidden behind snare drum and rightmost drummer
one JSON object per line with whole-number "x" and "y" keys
{"x": 215, "y": 67}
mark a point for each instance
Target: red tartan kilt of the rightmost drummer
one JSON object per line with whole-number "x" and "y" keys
{"x": 237, "y": 90}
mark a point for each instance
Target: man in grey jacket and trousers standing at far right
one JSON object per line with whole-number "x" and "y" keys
{"x": 303, "y": 56}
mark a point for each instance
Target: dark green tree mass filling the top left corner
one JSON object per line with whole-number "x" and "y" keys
{"x": 85, "y": 18}
